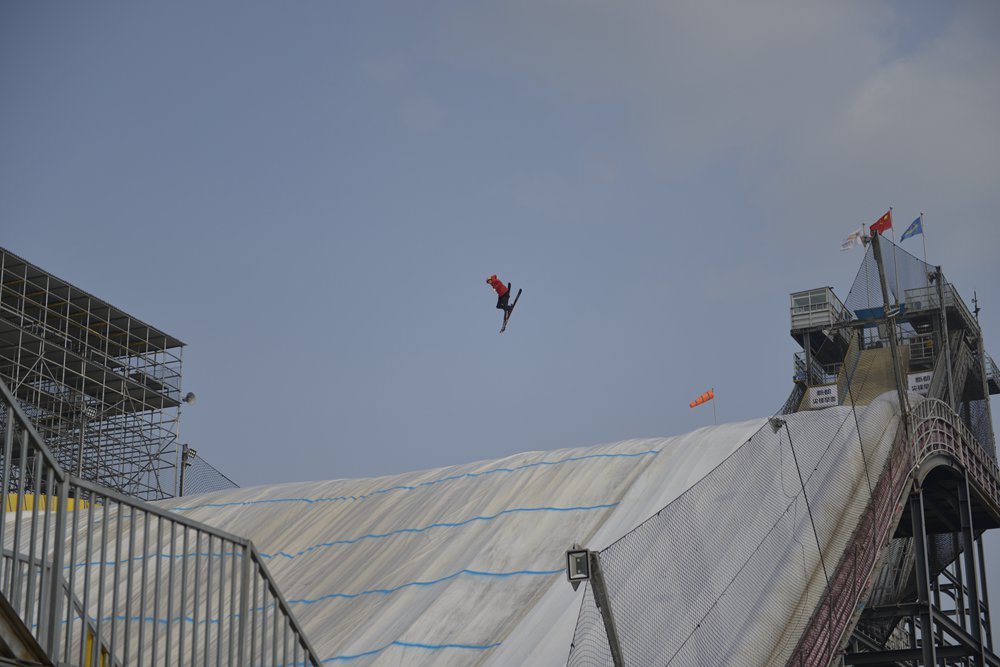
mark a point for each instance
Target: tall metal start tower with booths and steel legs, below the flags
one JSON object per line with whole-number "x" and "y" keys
{"x": 904, "y": 327}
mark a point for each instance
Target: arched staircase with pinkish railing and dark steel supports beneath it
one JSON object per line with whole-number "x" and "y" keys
{"x": 938, "y": 442}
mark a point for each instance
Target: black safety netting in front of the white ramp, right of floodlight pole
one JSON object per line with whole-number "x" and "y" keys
{"x": 732, "y": 570}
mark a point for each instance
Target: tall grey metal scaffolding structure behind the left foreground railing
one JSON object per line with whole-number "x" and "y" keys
{"x": 102, "y": 387}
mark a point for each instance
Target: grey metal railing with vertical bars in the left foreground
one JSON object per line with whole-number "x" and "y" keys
{"x": 104, "y": 579}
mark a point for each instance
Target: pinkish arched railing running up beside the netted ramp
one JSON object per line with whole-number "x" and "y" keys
{"x": 935, "y": 430}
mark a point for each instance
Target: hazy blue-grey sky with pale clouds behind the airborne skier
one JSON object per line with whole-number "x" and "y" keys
{"x": 311, "y": 196}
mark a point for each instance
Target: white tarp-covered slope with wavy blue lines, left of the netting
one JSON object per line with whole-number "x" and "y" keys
{"x": 459, "y": 565}
